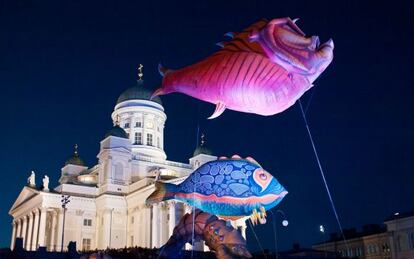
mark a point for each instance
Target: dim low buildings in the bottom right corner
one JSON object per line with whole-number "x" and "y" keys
{"x": 395, "y": 240}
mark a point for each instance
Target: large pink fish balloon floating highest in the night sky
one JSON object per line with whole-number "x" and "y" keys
{"x": 263, "y": 70}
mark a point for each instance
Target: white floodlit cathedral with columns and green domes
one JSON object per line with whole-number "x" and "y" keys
{"x": 107, "y": 201}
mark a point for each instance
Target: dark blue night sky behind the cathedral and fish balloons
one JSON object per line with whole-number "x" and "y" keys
{"x": 62, "y": 67}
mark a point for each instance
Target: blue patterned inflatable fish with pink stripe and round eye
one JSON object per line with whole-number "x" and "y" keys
{"x": 229, "y": 188}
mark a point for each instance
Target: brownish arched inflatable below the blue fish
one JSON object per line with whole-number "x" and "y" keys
{"x": 224, "y": 240}
